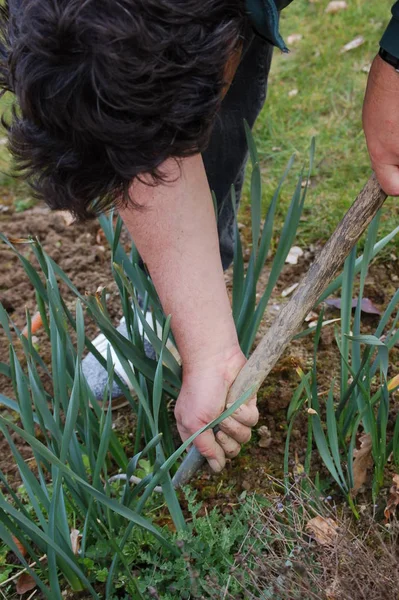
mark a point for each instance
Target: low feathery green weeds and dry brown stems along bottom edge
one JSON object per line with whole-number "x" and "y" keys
{"x": 263, "y": 549}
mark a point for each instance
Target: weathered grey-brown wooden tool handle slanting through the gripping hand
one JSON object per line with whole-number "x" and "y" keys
{"x": 289, "y": 319}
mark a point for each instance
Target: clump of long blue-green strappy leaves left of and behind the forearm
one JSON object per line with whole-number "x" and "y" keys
{"x": 74, "y": 447}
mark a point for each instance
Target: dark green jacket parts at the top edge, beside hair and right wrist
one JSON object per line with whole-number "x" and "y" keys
{"x": 264, "y": 17}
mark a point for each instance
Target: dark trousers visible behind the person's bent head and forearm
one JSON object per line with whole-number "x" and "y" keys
{"x": 226, "y": 155}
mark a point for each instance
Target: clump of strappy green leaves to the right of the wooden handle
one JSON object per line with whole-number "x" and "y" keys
{"x": 362, "y": 401}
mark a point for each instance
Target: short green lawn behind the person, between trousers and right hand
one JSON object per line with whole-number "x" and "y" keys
{"x": 328, "y": 106}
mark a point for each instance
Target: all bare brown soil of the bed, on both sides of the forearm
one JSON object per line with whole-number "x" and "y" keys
{"x": 82, "y": 252}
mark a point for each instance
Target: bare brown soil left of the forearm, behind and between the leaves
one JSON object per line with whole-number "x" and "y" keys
{"x": 79, "y": 250}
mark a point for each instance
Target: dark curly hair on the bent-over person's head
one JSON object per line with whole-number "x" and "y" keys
{"x": 107, "y": 90}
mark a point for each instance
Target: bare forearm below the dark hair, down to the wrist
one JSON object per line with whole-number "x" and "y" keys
{"x": 177, "y": 238}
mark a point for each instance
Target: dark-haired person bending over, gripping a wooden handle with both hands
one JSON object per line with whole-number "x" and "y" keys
{"x": 139, "y": 104}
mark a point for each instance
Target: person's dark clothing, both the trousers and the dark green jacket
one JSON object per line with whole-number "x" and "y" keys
{"x": 226, "y": 155}
